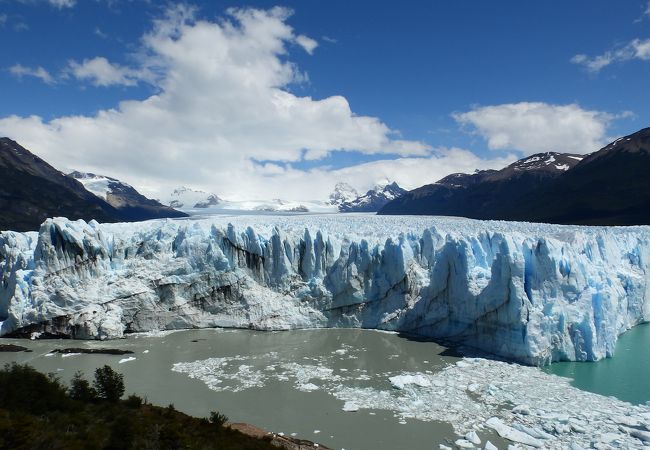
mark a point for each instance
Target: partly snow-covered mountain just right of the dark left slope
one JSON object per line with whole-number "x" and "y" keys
{"x": 125, "y": 198}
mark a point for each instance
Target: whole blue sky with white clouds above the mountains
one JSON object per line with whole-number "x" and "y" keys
{"x": 266, "y": 99}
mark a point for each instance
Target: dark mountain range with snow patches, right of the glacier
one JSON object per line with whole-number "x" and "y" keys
{"x": 608, "y": 187}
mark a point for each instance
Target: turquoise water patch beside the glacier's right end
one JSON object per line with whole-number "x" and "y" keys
{"x": 625, "y": 376}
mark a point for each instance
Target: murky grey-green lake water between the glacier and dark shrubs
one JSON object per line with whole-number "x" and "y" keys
{"x": 261, "y": 378}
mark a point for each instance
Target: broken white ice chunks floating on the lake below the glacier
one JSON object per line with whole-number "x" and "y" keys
{"x": 472, "y": 395}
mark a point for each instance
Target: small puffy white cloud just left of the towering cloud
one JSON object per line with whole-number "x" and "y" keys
{"x": 100, "y": 72}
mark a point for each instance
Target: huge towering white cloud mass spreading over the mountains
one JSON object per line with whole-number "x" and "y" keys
{"x": 221, "y": 105}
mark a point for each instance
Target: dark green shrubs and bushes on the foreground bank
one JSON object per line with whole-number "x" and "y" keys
{"x": 37, "y": 411}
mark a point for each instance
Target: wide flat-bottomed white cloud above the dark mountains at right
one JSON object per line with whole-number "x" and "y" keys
{"x": 538, "y": 127}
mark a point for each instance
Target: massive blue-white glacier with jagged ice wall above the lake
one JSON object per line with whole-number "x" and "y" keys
{"x": 528, "y": 292}
